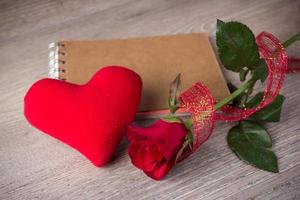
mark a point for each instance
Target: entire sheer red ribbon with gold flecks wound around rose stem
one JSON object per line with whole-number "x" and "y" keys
{"x": 198, "y": 100}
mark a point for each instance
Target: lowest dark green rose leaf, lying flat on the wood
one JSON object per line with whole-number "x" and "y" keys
{"x": 252, "y": 144}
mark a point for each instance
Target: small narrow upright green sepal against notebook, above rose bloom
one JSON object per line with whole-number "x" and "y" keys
{"x": 174, "y": 94}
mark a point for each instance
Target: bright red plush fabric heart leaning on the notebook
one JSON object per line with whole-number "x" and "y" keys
{"x": 91, "y": 118}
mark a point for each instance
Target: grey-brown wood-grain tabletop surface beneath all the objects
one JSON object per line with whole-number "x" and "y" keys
{"x": 36, "y": 166}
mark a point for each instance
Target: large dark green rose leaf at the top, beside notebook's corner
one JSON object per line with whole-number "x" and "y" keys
{"x": 236, "y": 46}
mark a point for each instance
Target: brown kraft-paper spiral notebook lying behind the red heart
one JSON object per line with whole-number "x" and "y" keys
{"x": 157, "y": 59}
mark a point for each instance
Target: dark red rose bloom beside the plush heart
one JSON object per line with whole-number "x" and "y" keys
{"x": 153, "y": 149}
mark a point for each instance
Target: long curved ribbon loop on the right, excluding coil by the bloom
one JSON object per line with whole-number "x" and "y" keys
{"x": 276, "y": 59}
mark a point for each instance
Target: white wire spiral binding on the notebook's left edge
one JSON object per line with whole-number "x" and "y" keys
{"x": 56, "y": 62}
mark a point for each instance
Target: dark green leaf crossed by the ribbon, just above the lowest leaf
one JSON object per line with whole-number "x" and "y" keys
{"x": 270, "y": 113}
